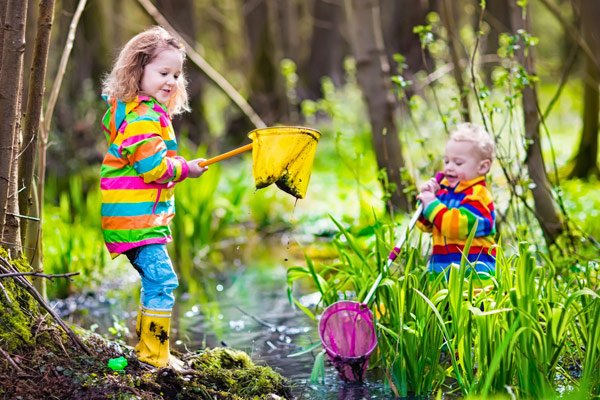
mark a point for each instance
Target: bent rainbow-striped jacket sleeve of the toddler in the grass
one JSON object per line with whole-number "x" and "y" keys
{"x": 456, "y": 223}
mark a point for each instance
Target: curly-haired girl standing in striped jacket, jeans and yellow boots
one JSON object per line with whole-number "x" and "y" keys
{"x": 140, "y": 169}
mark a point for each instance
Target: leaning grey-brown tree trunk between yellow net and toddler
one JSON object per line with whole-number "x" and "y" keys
{"x": 373, "y": 74}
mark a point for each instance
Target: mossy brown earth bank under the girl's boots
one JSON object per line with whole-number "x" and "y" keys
{"x": 57, "y": 368}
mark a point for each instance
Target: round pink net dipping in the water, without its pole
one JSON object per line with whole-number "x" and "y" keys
{"x": 348, "y": 336}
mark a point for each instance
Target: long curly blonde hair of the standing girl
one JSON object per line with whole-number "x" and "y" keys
{"x": 123, "y": 82}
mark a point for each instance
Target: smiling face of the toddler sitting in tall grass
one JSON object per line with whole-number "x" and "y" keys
{"x": 462, "y": 162}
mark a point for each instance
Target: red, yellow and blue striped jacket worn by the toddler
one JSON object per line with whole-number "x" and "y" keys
{"x": 452, "y": 216}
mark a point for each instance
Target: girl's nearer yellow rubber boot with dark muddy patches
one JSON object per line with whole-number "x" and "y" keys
{"x": 153, "y": 347}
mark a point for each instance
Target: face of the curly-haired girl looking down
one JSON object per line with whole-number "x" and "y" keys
{"x": 160, "y": 76}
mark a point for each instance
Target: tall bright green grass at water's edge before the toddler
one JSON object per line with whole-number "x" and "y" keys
{"x": 525, "y": 334}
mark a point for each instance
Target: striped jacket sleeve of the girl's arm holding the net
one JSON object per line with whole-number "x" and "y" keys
{"x": 146, "y": 151}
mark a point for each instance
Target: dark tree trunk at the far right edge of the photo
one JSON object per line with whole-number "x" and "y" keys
{"x": 587, "y": 153}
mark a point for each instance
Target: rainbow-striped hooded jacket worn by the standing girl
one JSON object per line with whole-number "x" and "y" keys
{"x": 138, "y": 174}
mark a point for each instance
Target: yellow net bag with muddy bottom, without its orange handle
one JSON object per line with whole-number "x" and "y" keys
{"x": 284, "y": 155}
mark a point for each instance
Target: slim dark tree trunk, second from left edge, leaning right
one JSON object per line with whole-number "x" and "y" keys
{"x": 34, "y": 107}
